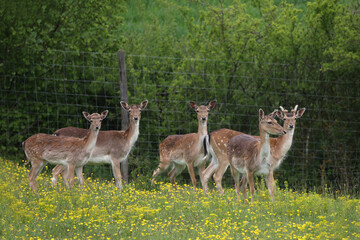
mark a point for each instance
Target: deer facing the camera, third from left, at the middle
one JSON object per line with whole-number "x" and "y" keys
{"x": 188, "y": 150}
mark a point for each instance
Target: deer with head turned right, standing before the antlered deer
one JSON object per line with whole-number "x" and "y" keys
{"x": 250, "y": 155}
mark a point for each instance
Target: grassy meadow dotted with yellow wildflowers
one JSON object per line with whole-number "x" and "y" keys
{"x": 101, "y": 211}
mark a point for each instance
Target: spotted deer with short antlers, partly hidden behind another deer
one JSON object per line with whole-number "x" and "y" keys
{"x": 279, "y": 146}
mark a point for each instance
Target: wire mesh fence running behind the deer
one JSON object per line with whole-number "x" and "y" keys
{"x": 52, "y": 88}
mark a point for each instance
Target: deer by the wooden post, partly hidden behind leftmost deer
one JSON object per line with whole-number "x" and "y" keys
{"x": 112, "y": 147}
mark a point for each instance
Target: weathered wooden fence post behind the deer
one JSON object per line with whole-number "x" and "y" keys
{"x": 124, "y": 113}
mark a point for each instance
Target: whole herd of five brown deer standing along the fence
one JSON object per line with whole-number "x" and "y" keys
{"x": 71, "y": 148}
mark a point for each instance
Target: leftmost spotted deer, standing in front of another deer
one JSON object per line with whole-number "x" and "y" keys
{"x": 70, "y": 152}
